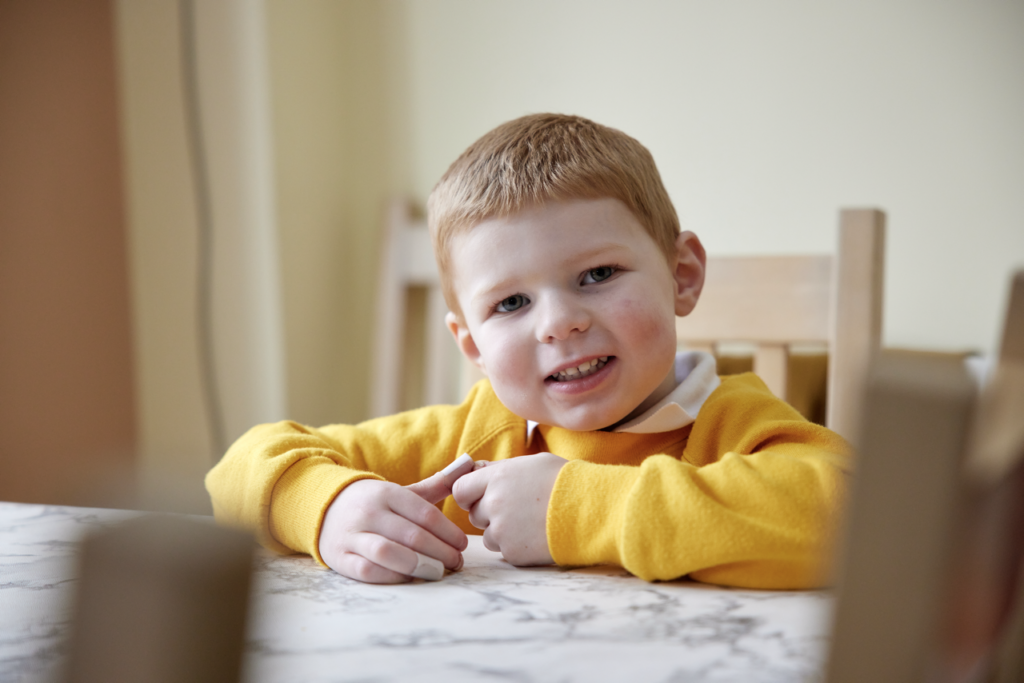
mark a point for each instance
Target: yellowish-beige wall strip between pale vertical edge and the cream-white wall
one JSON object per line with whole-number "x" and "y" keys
{"x": 335, "y": 72}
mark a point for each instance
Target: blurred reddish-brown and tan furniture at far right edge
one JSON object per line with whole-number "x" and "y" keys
{"x": 986, "y": 619}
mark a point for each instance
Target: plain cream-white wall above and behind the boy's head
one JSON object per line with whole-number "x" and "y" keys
{"x": 766, "y": 118}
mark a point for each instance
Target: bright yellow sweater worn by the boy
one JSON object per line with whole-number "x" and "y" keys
{"x": 749, "y": 495}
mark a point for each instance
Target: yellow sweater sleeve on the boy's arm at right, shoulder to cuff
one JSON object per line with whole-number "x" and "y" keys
{"x": 754, "y": 501}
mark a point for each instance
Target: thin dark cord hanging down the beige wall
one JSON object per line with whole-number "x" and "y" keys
{"x": 204, "y": 221}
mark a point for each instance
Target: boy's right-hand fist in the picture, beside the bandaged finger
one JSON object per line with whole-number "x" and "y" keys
{"x": 509, "y": 501}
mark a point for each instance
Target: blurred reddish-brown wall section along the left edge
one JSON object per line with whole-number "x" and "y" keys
{"x": 67, "y": 395}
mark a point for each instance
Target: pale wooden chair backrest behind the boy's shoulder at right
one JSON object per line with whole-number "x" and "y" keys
{"x": 776, "y": 303}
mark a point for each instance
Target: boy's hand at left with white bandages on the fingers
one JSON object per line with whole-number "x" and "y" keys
{"x": 374, "y": 530}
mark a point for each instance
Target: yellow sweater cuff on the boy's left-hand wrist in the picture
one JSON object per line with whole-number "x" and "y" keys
{"x": 302, "y": 498}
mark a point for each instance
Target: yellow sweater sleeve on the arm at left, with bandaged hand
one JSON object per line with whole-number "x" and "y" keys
{"x": 279, "y": 480}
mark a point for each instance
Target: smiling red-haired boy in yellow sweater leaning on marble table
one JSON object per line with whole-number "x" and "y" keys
{"x": 565, "y": 268}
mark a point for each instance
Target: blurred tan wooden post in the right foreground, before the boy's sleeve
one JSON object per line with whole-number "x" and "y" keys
{"x": 903, "y": 509}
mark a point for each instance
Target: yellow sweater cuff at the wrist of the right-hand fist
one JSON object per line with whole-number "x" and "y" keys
{"x": 587, "y": 511}
